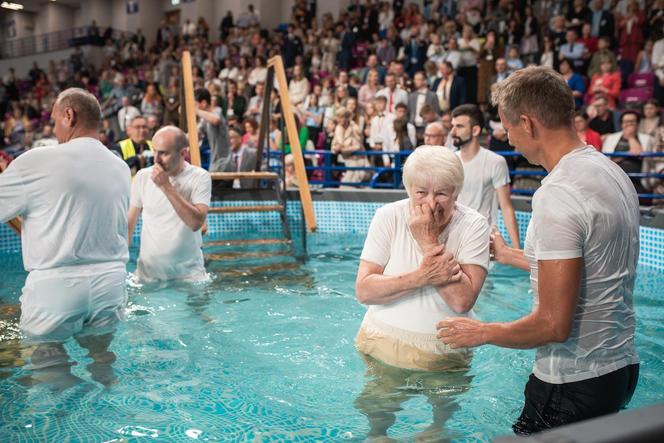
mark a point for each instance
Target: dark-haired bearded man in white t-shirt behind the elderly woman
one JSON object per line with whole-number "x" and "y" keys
{"x": 486, "y": 176}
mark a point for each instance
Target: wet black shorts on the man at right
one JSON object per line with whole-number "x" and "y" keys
{"x": 550, "y": 405}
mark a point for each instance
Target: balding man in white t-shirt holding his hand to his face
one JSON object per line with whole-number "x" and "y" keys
{"x": 174, "y": 197}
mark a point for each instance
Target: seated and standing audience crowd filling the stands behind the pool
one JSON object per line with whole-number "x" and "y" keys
{"x": 372, "y": 78}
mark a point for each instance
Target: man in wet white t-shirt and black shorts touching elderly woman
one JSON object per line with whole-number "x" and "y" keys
{"x": 582, "y": 248}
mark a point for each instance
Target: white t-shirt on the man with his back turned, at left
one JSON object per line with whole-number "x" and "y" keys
{"x": 73, "y": 198}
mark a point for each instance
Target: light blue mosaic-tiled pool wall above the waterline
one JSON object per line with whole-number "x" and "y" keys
{"x": 341, "y": 217}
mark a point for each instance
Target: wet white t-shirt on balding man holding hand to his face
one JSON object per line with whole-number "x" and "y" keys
{"x": 169, "y": 248}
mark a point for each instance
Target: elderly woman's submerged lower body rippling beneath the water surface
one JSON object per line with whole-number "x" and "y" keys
{"x": 387, "y": 388}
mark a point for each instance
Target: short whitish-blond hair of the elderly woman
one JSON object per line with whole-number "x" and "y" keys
{"x": 434, "y": 164}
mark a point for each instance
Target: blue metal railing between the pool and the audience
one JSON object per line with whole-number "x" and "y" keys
{"x": 398, "y": 158}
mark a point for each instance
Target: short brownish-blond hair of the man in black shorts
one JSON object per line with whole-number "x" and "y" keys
{"x": 538, "y": 92}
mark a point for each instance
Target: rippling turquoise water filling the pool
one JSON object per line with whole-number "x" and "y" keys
{"x": 266, "y": 354}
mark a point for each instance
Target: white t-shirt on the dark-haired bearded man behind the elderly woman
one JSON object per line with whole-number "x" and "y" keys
{"x": 485, "y": 173}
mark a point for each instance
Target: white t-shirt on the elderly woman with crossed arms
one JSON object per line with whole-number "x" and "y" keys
{"x": 390, "y": 244}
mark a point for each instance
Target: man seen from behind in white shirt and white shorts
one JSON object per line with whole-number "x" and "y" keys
{"x": 73, "y": 198}
